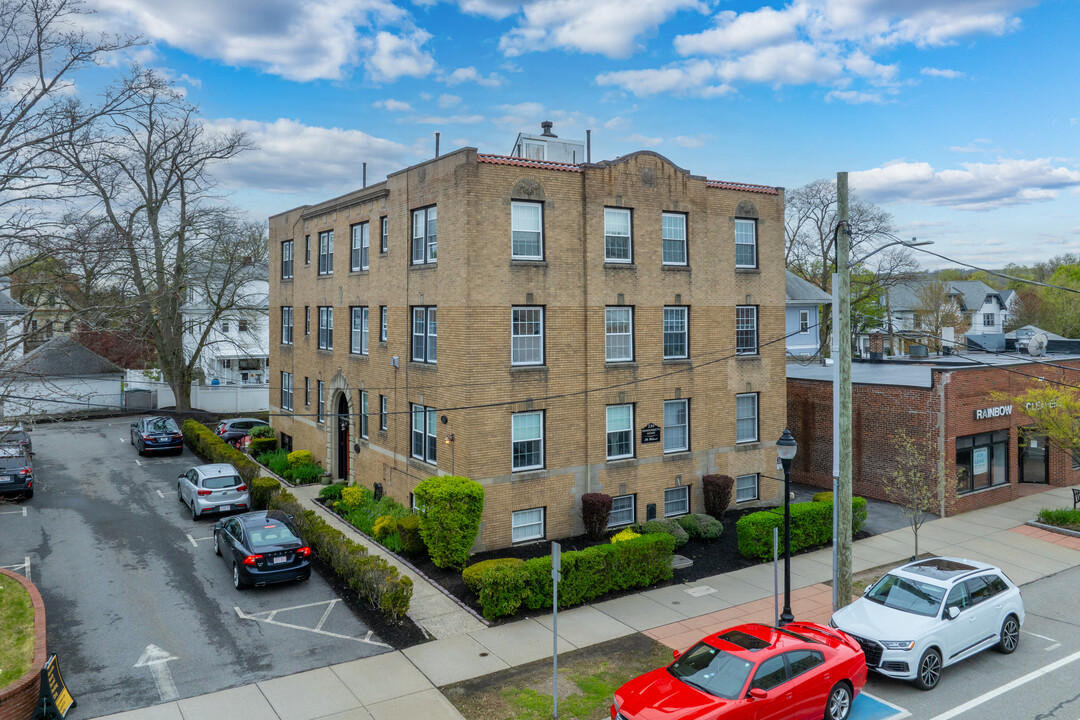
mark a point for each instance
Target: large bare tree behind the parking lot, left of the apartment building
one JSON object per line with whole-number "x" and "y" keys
{"x": 148, "y": 171}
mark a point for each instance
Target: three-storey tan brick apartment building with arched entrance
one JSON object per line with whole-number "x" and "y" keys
{"x": 534, "y": 325}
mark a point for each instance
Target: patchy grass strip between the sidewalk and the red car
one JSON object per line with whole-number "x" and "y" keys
{"x": 587, "y": 681}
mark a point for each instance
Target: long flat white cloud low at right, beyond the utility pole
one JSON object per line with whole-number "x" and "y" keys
{"x": 975, "y": 187}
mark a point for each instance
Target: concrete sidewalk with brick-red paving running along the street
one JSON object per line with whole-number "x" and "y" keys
{"x": 406, "y": 684}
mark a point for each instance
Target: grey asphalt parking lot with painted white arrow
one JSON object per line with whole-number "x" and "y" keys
{"x": 140, "y": 609}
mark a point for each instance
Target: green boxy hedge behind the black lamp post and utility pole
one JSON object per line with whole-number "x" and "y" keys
{"x": 812, "y": 526}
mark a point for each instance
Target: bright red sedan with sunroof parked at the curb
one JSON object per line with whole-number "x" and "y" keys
{"x": 800, "y": 672}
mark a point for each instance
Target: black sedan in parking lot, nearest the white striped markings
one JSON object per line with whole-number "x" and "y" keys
{"x": 262, "y": 549}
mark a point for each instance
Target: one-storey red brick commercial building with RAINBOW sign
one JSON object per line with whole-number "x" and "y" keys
{"x": 956, "y": 410}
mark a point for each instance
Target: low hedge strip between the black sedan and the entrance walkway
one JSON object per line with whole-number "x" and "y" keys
{"x": 373, "y": 579}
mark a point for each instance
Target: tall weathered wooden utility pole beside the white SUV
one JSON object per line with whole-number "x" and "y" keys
{"x": 842, "y": 500}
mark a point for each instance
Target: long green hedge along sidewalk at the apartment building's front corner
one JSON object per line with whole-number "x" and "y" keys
{"x": 587, "y": 575}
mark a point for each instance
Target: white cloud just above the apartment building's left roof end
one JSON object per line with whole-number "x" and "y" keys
{"x": 319, "y": 159}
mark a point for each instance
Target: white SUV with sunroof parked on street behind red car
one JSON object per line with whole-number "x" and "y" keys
{"x": 929, "y": 615}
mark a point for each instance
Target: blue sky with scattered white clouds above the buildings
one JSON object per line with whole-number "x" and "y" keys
{"x": 960, "y": 117}
